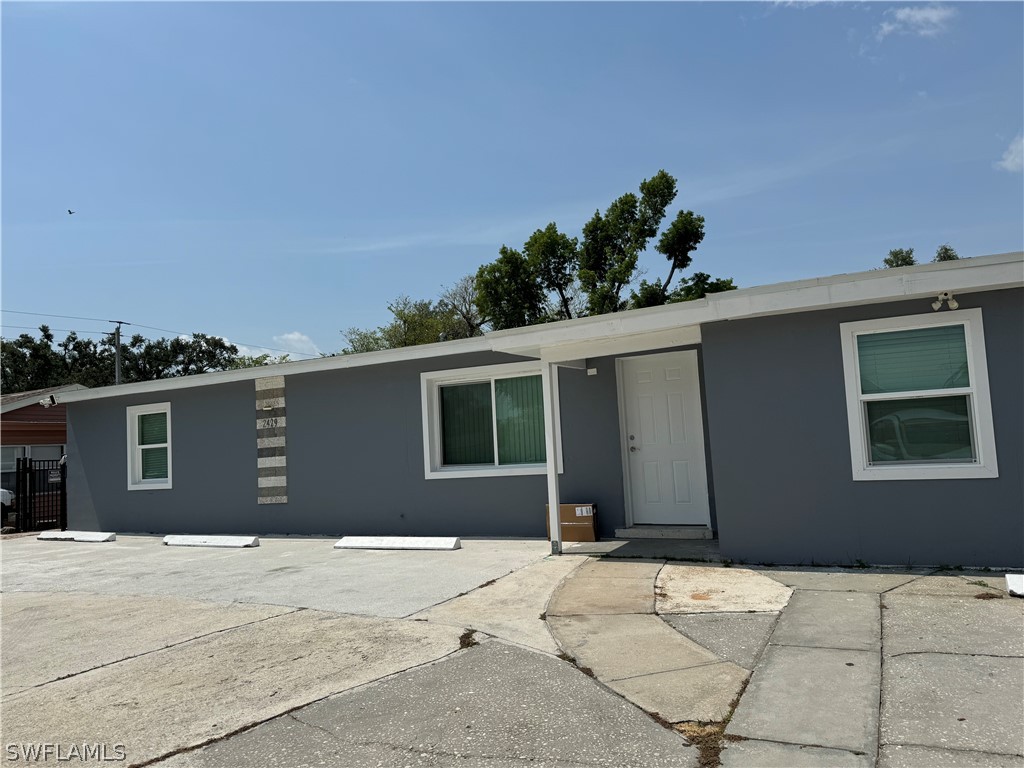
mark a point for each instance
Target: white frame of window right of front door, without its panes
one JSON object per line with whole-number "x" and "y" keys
{"x": 979, "y": 402}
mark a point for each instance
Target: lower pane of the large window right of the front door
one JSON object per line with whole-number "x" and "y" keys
{"x": 920, "y": 430}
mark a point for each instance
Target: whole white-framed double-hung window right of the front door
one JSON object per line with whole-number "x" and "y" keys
{"x": 918, "y": 401}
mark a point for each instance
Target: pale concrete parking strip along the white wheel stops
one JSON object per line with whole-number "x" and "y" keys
{"x": 300, "y": 572}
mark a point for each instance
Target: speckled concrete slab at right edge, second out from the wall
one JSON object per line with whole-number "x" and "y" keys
{"x": 916, "y": 624}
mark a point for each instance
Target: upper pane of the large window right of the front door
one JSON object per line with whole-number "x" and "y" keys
{"x": 911, "y": 361}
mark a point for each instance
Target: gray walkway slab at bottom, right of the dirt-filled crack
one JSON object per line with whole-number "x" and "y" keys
{"x": 818, "y": 697}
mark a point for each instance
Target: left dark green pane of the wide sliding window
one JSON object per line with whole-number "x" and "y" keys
{"x": 467, "y": 436}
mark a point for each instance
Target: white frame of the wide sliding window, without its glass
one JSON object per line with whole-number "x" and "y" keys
{"x": 431, "y": 385}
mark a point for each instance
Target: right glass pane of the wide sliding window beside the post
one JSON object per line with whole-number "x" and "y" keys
{"x": 520, "y": 405}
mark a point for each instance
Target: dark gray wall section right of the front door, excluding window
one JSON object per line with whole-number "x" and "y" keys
{"x": 777, "y": 410}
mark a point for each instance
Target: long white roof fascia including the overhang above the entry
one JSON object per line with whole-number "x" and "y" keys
{"x": 638, "y": 329}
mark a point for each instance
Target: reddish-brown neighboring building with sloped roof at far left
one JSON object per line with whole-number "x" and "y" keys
{"x": 30, "y": 431}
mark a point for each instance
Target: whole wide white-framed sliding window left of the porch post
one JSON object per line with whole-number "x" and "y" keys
{"x": 487, "y": 421}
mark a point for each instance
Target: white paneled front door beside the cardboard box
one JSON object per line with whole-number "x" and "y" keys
{"x": 667, "y": 478}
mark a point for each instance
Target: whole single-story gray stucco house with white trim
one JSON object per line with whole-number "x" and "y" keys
{"x": 873, "y": 417}
